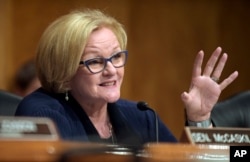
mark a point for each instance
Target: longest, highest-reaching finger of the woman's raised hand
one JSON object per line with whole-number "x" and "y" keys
{"x": 212, "y": 61}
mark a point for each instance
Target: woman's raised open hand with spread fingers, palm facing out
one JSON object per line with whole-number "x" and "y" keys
{"x": 205, "y": 87}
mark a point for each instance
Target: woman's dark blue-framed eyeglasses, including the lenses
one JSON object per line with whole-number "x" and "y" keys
{"x": 98, "y": 64}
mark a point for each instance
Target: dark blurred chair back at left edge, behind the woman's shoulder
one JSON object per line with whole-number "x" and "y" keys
{"x": 8, "y": 103}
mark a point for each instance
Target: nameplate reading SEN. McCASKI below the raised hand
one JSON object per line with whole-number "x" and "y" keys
{"x": 217, "y": 135}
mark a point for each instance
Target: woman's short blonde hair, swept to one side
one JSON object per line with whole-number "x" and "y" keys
{"x": 63, "y": 42}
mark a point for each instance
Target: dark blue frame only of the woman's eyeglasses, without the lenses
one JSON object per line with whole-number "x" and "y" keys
{"x": 86, "y": 62}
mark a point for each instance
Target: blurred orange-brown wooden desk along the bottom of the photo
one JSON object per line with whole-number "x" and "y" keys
{"x": 52, "y": 151}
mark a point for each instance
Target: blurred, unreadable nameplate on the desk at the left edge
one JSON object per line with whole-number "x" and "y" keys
{"x": 27, "y": 128}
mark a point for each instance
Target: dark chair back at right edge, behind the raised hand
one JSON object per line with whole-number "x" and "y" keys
{"x": 233, "y": 111}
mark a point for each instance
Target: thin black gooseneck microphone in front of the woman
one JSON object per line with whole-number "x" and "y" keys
{"x": 141, "y": 105}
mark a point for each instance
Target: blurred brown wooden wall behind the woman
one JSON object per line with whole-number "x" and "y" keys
{"x": 164, "y": 38}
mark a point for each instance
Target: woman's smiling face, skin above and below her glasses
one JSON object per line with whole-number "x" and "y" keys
{"x": 105, "y": 85}
